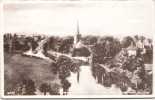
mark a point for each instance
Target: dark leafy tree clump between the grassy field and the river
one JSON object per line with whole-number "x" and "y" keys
{"x": 63, "y": 68}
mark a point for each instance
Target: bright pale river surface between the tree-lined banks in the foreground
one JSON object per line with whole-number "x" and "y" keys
{"x": 87, "y": 85}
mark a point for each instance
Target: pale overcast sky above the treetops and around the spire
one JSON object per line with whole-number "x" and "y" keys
{"x": 110, "y": 17}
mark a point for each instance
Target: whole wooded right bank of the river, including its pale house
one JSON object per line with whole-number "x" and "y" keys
{"x": 126, "y": 59}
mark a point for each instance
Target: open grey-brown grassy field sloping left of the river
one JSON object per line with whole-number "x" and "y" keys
{"x": 18, "y": 67}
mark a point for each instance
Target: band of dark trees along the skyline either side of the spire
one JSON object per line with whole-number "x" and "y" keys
{"x": 106, "y": 45}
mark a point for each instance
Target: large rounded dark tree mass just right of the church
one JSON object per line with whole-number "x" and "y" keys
{"x": 106, "y": 47}
